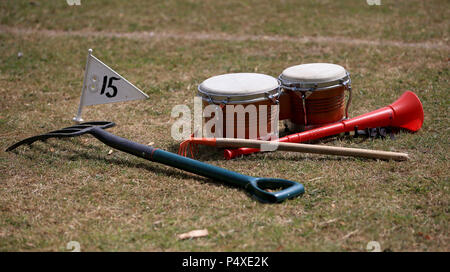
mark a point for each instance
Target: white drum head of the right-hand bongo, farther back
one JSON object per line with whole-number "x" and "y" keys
{"x": 313, "y": 73}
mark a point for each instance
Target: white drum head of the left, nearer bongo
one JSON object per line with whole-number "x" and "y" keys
{"x": 239, "y": 87}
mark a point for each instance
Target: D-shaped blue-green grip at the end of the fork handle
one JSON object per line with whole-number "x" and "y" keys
{"x": 258, "y": 187}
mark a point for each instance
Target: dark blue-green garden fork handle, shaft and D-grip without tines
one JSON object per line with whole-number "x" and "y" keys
{"x": 255, "y": 186}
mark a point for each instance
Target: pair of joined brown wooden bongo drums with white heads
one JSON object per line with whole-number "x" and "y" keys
{"x": 305, "y": 96}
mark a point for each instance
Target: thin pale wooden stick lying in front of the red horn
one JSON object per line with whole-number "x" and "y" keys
{"x": 309, "y": 148}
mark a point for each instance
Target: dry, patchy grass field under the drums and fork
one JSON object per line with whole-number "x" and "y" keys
{"x": 66, "y": 190}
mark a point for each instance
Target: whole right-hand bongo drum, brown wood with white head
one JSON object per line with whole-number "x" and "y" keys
{"x": 317, "y": 94}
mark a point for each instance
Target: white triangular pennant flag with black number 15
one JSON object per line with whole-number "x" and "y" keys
{"x": 103, "y": 85}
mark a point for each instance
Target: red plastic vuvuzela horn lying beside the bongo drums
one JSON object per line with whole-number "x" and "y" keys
{"x": 406, "y": 112}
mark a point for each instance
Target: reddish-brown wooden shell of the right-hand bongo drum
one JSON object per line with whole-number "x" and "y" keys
{"x": 322, "y": 106}
